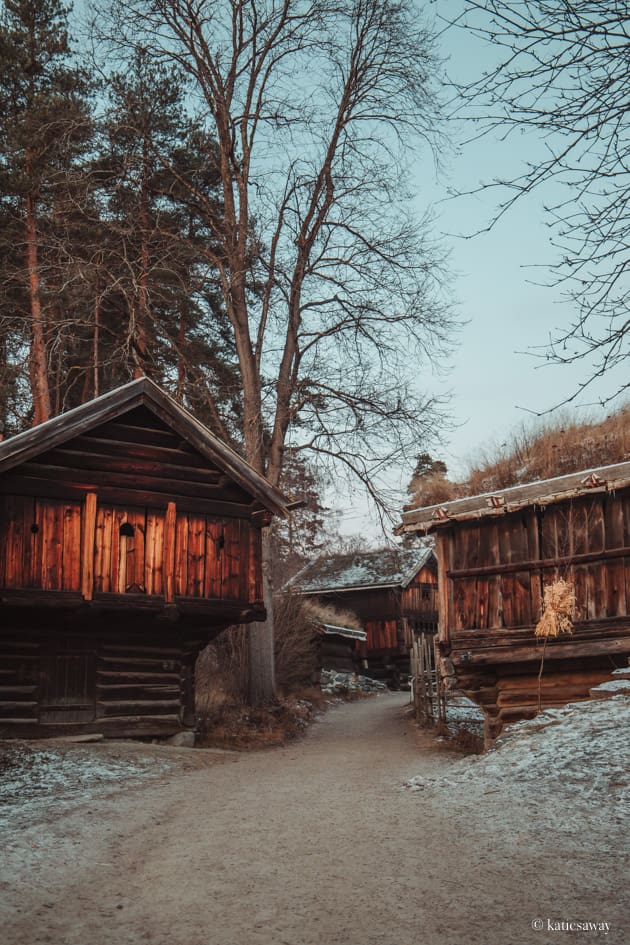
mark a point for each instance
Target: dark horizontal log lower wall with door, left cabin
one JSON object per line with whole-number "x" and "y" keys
{"x": 144, "y": 686}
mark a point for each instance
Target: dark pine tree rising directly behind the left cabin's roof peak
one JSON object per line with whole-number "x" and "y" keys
{"x": 163, "y": 311}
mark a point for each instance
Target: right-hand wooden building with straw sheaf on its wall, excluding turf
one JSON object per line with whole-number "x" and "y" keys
{"x": 496, "y": 554}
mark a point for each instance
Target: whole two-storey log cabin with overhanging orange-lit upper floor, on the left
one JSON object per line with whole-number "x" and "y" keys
{"x": 130, "y": 536}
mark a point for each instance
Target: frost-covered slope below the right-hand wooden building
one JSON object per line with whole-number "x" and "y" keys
{"x": 566, "y": 764}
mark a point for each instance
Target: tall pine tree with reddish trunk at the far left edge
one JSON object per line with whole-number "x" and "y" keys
{"x": 44, "y": 133}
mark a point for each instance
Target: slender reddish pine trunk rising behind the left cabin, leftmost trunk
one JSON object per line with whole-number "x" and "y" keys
{"x": 38, "y": 366}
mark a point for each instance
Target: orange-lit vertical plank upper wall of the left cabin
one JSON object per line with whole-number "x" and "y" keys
{"x": 56, "y": 545}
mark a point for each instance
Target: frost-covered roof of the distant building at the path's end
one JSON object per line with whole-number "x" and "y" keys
{"x": 383, "y": 568}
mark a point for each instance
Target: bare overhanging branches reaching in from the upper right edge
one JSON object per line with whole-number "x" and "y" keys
{"x": 560, "y": 68}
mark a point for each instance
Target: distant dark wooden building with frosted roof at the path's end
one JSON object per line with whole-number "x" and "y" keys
{"x": 391, "y": 591}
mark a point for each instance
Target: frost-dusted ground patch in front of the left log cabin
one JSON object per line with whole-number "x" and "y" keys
{"x": 32, "y": 776}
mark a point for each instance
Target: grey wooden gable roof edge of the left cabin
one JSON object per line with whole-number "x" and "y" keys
{"x": 141, "y": 393}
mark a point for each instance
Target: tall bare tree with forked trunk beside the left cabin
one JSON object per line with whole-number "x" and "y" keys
{"x": 331, "y": 286}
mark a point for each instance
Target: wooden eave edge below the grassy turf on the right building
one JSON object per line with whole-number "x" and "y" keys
{"x": 541, "y": 493}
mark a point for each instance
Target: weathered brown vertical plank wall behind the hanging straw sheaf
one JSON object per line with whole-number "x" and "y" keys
{"x": 512, "y": 600}
